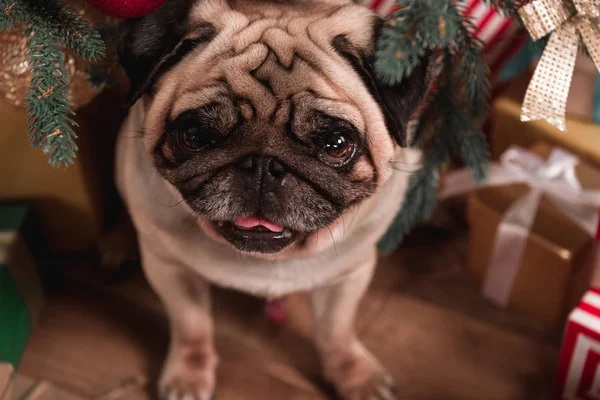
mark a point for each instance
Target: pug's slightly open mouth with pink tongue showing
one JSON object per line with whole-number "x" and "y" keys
{"x": 256, "y": 235}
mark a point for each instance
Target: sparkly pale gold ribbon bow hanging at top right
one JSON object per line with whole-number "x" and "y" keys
{"x": 546, "y": 96}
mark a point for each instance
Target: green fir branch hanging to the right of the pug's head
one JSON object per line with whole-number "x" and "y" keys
{"x": 451, "y": 122}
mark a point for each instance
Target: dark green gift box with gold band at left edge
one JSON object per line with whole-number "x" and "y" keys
{"x": 22, "y": 278}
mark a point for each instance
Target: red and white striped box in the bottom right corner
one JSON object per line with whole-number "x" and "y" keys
{"x": 578, "y": 376}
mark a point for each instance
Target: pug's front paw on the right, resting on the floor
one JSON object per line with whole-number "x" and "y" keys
{"x": 358, "y": 376}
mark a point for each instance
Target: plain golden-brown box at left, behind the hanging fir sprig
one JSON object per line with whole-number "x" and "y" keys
{"x": 72, "y": 203}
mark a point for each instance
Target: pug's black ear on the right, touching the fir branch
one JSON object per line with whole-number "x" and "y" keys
{"x": 397, "y": 102}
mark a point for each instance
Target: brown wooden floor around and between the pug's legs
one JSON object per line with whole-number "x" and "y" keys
{"x": 422, "y": 317}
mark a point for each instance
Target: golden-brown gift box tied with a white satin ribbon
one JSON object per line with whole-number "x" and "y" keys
{"x": 555, "y": 266}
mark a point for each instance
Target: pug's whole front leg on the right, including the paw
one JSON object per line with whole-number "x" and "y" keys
{"x": 356, "y": 374}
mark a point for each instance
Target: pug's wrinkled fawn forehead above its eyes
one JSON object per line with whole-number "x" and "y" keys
{"x": 268, "y": 55}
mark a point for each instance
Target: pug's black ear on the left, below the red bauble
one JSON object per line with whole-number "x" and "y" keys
{"x": 150, "y": 45}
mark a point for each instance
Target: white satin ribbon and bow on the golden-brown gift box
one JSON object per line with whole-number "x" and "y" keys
{"x": 554, "y": 178}
